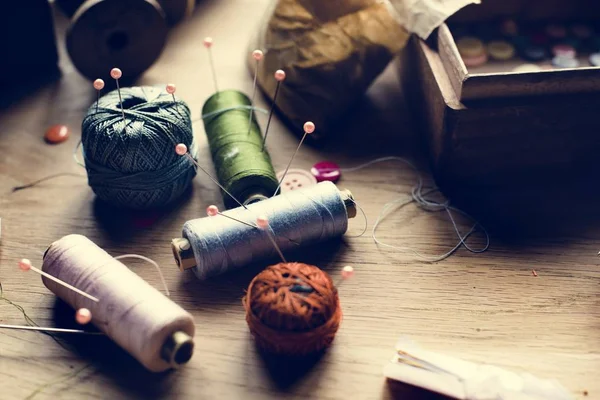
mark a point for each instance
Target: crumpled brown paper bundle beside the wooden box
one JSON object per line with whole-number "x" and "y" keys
{"x": 332, "y": 50}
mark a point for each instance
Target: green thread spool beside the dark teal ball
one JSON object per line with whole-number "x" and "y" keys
{"x": 242, "y": 167}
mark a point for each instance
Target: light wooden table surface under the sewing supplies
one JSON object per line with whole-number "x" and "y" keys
{"x": 485, "y": 308}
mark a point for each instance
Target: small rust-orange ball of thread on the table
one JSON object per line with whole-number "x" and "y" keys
{"x": 293, "y": 309}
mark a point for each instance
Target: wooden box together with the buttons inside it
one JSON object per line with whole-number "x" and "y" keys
{"x": 508, "y": 92}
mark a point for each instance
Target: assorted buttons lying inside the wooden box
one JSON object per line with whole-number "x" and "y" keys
{"x": 563, "y": 44}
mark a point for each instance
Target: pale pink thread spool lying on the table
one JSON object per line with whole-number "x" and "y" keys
{"x": 153, "y": 329}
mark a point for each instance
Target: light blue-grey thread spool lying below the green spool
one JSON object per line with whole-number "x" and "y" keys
{"x": 214, "y": 245}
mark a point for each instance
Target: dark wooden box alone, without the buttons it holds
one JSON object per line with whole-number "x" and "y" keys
{"x": 504, "y": 128}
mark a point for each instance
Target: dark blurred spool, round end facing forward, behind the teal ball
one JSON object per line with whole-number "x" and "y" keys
{"x": 107, "y": 33}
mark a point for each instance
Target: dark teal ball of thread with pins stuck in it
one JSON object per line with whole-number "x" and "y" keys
{"x": 133, "y": 164}
